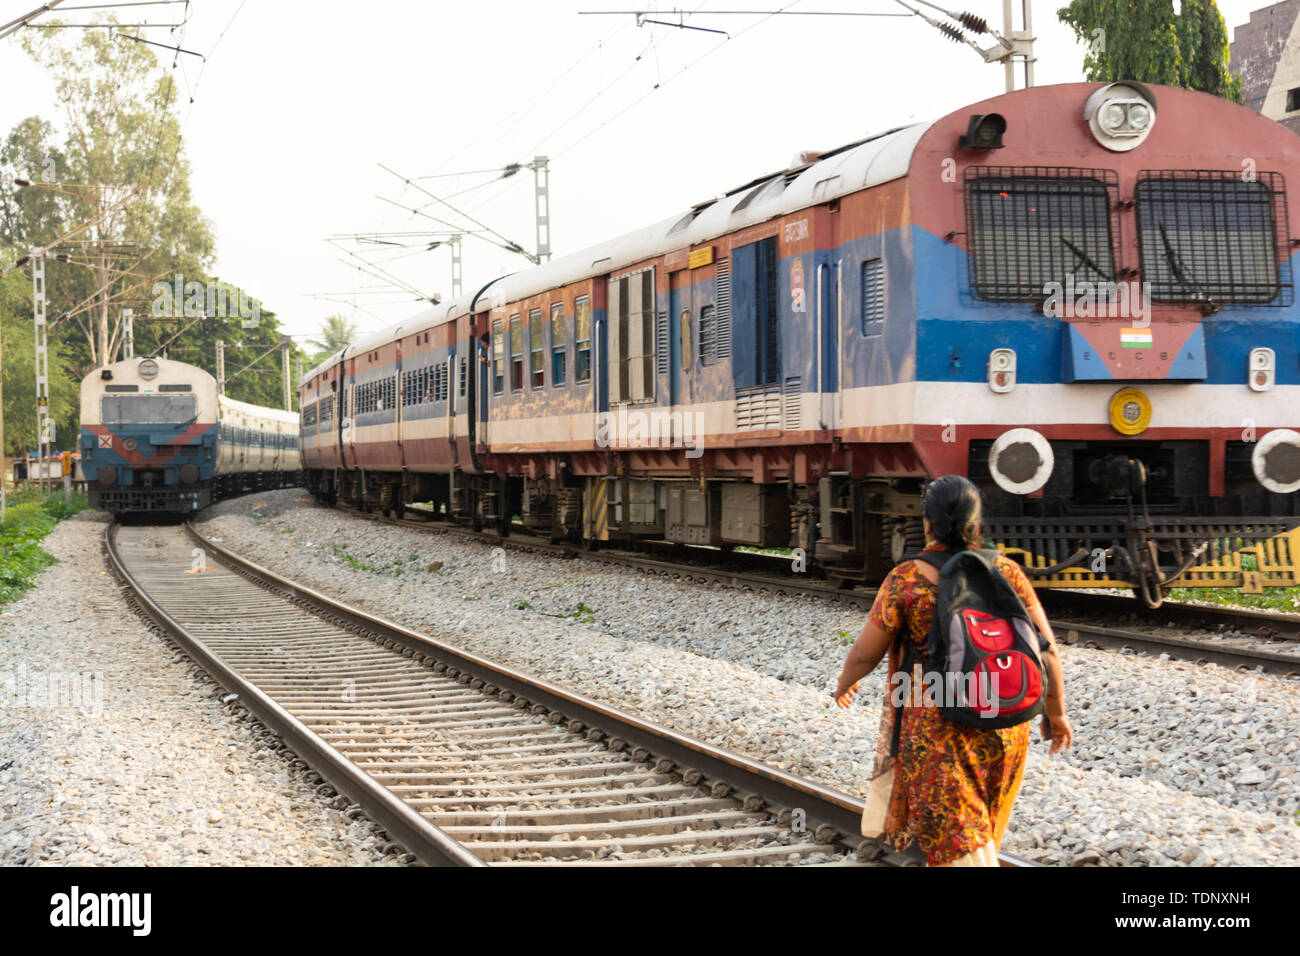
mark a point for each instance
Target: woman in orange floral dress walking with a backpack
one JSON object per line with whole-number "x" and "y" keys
{"x": 944, "y": 784}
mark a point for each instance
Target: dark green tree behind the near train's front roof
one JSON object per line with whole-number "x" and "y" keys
{"x": 1149, "y": 42}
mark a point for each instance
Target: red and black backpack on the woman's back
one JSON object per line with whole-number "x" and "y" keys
{"x": 983, "y": 656}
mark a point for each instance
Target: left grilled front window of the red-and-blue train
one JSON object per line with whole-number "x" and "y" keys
{"x": 1033, "y": 227}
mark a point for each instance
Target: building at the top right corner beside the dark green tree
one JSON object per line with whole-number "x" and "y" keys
{"x": 1267, "y": 55}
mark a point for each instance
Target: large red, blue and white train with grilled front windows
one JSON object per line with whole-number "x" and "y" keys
{"x": 1081, "y": 297}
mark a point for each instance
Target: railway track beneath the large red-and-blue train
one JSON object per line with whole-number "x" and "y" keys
{"x": 1271, "y": 646}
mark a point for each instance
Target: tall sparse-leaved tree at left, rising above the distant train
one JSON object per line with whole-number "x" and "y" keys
{"x": 122, "y": 140}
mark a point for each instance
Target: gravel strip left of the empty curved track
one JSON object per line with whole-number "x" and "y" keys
{"x": 115, "y": 752}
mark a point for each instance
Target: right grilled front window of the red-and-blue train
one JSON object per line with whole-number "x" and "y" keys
{"x": 1212, "y": 237}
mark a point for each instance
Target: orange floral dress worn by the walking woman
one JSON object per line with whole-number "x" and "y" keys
{"x": 951, "y": 788}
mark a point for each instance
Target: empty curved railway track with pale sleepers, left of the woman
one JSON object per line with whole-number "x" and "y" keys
{"x": 463, "y": 762}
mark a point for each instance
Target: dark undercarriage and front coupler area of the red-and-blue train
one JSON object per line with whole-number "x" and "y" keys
{"x": 1134, "y": 517}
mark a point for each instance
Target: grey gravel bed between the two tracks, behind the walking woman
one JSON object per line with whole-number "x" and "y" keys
{"x": 1175, "y": 763}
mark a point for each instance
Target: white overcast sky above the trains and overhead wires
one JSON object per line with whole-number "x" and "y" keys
{"x": 300, "y": 102}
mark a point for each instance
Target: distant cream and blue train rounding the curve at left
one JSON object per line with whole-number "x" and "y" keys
{"x": 158, "y": 439}
